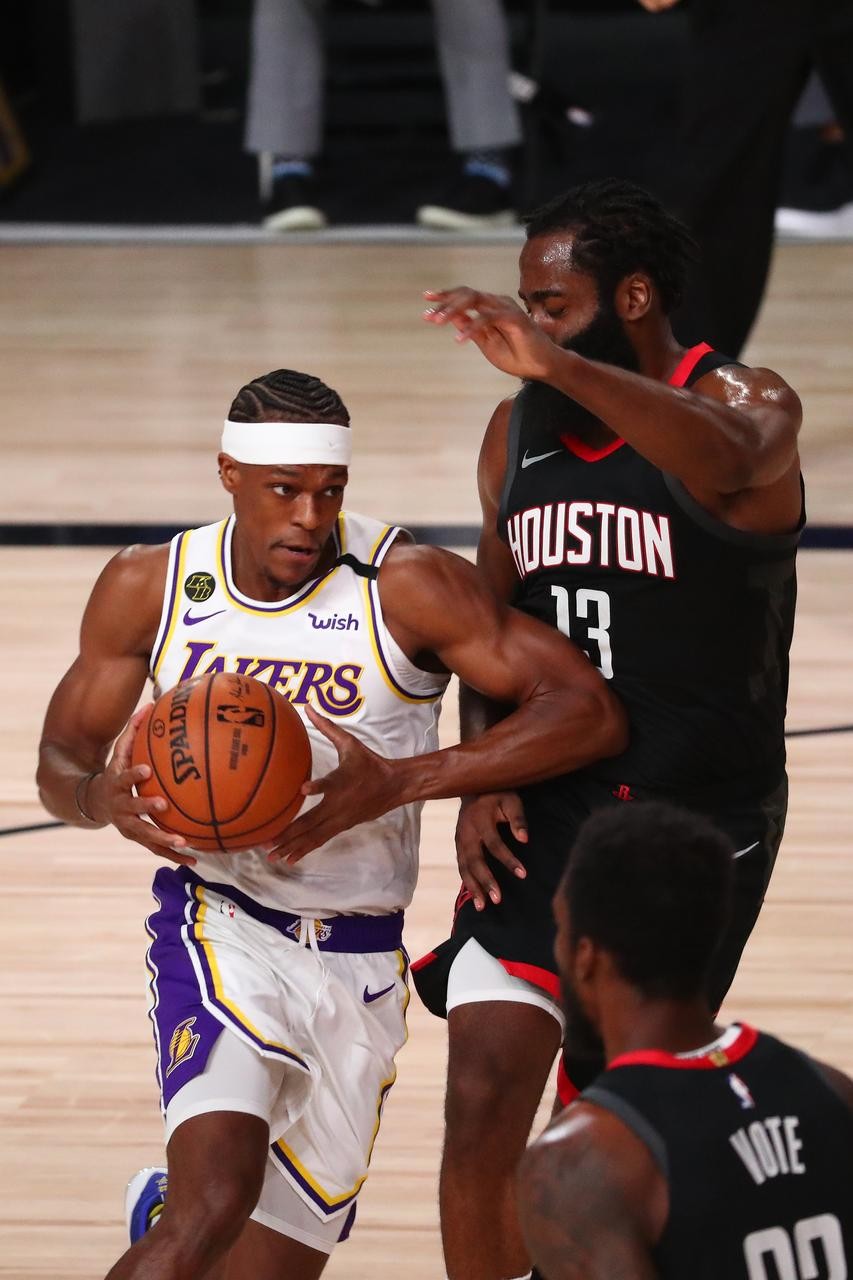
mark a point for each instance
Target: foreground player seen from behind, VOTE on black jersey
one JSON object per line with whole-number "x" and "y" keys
{"x": 701, "y": 1151}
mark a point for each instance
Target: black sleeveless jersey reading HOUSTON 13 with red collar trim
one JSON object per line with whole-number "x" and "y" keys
{"x": 688, "y": 620}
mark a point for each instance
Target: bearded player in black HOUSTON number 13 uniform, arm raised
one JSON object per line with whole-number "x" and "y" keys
{"x": 646, "y": 501}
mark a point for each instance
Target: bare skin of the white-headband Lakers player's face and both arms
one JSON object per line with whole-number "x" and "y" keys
{"x": 565, "y": 717}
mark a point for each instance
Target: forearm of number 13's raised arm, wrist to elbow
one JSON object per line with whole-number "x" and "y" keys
{"x": 699, "y": 440}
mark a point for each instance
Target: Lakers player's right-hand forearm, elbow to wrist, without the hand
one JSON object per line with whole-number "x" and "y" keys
{"x": 555, "y": 733}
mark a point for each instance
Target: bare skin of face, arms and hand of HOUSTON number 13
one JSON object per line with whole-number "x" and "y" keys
{"x": 731, "y": 438}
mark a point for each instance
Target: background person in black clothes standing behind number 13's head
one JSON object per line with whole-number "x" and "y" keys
{"x": 747, "y": 63}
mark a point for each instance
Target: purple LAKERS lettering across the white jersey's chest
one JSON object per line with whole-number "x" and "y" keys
{"x": 335, "y": 688}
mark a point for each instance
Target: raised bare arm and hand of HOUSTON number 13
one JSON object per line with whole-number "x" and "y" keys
{"x": 733, "y": 433}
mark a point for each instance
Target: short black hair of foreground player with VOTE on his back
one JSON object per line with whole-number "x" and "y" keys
{"x": 651, "y": 885}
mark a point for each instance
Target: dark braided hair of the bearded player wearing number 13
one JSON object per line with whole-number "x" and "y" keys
{"x": 619, "y": 228}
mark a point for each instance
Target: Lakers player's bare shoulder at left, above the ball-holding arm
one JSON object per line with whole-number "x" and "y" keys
{"x": 127, "y": 600}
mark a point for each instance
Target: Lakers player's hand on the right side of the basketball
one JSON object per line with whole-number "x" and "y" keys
{"x": 363, "y": 787}
